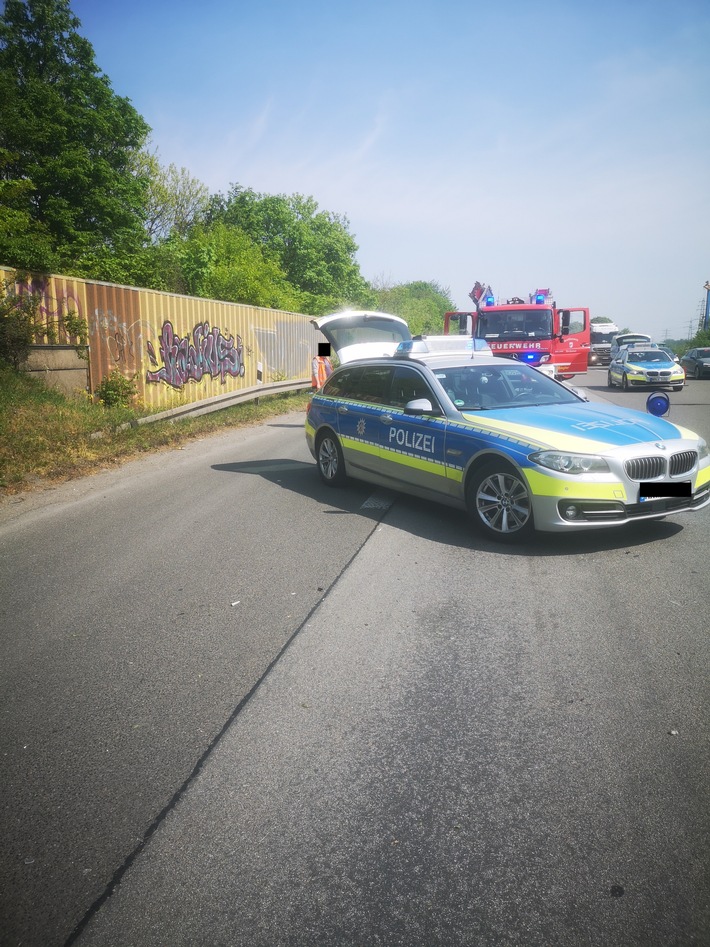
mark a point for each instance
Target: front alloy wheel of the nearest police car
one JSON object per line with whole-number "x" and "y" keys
{"x": 499, "y": 502}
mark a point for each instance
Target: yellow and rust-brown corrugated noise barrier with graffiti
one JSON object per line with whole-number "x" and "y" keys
{"x": 180, "y": 350}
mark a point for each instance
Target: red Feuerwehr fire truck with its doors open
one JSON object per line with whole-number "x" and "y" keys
{"x": 536, "y": 331}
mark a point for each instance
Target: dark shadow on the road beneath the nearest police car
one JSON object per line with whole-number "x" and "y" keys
{"x": 436, "y": 522}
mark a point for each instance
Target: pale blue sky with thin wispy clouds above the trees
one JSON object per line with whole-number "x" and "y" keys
{"x": 550, "y": 144}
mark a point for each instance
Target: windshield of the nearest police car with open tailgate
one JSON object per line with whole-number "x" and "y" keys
{"x": 487, "y": 387}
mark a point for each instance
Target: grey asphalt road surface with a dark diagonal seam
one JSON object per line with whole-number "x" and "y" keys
{"x": 239, "y": 708}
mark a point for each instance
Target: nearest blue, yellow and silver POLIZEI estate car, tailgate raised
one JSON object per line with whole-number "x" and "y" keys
{"x": 517, "y": 449}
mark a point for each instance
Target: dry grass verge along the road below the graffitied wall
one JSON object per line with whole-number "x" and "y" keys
{"x": 46, "y": 437}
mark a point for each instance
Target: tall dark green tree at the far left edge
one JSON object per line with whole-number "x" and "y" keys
{"x": 68, "y": 144}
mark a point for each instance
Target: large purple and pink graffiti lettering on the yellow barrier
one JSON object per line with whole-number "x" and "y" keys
{"x": 208, "y": 351}
